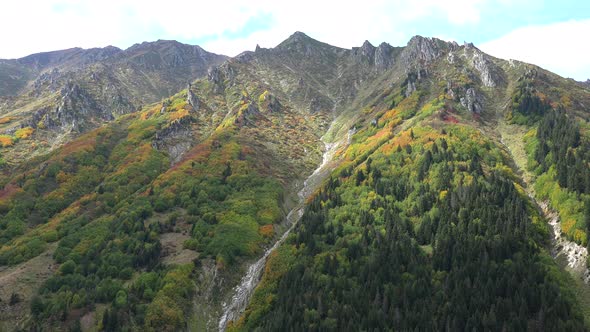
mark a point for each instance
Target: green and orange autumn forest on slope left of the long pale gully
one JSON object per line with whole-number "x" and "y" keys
{"x": 104, "y": 201}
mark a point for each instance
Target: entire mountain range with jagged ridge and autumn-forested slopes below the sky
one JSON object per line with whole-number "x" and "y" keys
{"x": 303, "y": 187}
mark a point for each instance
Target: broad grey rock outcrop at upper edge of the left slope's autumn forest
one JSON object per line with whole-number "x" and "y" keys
{"x": 176, "y": 139}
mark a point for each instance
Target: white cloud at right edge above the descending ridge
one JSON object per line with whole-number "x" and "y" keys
{"x": 559, "y": 47}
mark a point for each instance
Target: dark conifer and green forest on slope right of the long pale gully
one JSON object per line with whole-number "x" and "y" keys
{"x": 429, "y": 232}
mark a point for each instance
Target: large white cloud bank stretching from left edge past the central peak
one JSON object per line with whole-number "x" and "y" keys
{"x": 42, "y": 25}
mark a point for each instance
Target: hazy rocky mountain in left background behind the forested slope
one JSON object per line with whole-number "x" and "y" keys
{"x": 62, "y": 94}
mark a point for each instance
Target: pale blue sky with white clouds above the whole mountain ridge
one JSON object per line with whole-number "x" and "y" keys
{"x": 551, "y": 34}
